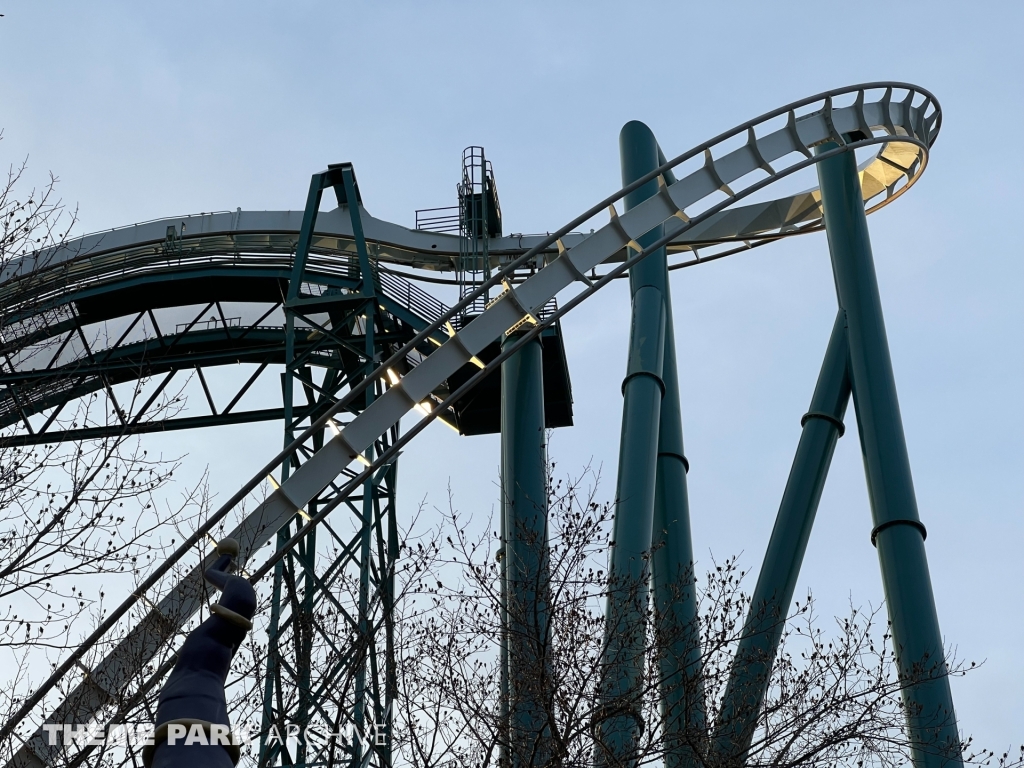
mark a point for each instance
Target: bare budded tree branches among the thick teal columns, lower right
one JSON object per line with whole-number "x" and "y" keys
{"x": 834, "y": 693}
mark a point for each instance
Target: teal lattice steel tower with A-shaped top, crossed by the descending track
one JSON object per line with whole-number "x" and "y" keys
{"x": 302, "y": 584}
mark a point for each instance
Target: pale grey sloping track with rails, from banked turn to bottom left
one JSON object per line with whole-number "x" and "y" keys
{"x": 902, "y": 121}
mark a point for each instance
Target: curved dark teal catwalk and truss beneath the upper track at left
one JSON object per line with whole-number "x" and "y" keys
{"x": 190, "y": 319}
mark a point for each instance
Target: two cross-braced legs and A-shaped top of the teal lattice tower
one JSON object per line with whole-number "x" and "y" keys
{"x": 368, "y": 712}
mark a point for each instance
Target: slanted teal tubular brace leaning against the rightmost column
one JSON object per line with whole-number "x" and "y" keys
{"x": 823, "y": 426}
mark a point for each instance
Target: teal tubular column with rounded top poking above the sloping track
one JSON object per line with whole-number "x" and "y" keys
{"x": 644, "y": 390}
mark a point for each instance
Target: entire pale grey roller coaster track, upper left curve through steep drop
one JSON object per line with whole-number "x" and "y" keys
{"x": 897, "y": 122}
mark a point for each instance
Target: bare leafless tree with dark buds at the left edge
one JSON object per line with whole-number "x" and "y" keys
{"x": 79, "y": 520}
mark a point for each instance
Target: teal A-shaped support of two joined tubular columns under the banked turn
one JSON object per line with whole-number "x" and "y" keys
{"x": 857, "y": 362}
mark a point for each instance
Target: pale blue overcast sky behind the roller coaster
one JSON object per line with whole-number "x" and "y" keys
{"x": 153, "y": 110}
